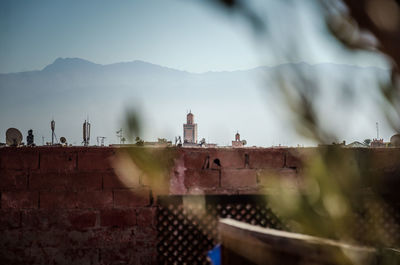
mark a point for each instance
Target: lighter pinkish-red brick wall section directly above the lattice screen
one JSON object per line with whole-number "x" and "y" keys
{"x": 229, "y": 170}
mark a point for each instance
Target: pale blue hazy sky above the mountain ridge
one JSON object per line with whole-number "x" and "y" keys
{"x": 186, "y": 35}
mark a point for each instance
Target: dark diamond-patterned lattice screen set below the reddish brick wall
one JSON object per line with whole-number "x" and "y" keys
{"x": 187, "y": 225}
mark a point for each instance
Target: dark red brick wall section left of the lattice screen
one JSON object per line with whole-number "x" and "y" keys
{"x": 66, "y": 206}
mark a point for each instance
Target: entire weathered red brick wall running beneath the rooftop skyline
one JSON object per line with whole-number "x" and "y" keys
{"x": 72, "y": 206}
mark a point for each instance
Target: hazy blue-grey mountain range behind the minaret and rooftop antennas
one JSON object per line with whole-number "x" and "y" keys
{"x": 71, "y": 89}
